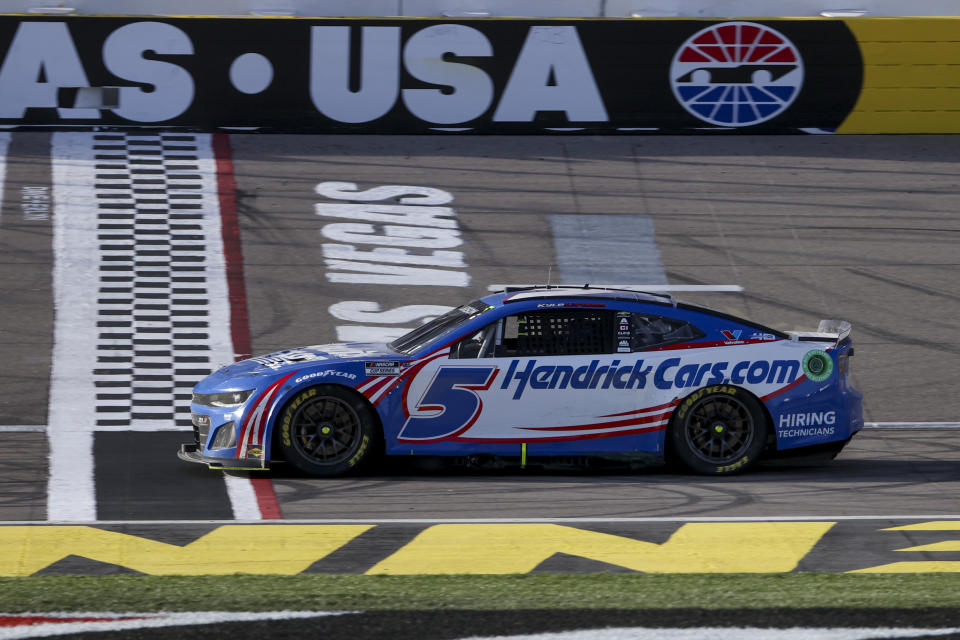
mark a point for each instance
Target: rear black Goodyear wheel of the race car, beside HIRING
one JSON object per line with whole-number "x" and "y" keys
{"x": 718, "y": 430}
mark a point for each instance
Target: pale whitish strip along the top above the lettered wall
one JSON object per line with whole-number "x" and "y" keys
{"x": 491, "y": 8}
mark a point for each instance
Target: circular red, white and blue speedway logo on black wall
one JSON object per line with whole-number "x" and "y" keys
{"x": 736, "y": 74}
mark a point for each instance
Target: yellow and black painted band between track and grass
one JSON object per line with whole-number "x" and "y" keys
{"x": 858, "y": 546}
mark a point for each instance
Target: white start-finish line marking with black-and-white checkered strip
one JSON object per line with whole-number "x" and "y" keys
{"x": 140, "y": 296}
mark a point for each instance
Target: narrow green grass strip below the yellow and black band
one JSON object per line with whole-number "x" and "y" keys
{"x": 539, "y": 591}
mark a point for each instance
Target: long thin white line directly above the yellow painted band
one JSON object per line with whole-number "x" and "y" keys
{"x": 585, "y": 520}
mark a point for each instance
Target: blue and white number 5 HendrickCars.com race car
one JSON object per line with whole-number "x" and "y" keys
{"x": 539, "y": 373}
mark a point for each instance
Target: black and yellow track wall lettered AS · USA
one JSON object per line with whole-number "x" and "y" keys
{"x": 413, "y": 76}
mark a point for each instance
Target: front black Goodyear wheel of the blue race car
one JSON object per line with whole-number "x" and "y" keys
{"x": 327, "y": 430}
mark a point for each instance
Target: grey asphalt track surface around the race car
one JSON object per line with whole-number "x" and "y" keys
{"x": 859, "y": 228}
